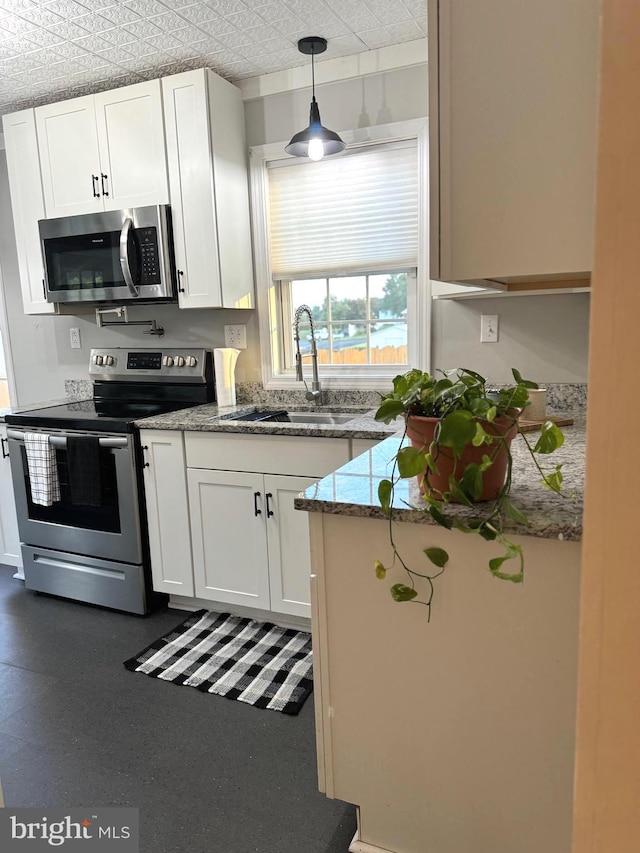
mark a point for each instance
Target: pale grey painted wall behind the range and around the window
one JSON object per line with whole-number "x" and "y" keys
{"x": 545, "y": 336}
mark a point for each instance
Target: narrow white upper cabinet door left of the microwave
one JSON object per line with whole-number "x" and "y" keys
{"x": 27, "y": 203}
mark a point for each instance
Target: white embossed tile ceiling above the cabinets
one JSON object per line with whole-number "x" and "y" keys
{"x": 61, "y": 49}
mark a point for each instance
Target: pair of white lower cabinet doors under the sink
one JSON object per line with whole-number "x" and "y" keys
{"x": 250, "y": 546}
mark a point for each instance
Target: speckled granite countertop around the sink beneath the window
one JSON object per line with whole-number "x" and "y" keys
{"x": 210, "y": 418}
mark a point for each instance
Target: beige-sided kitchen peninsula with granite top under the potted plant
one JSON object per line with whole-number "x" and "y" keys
{"x": 458, "y": 733}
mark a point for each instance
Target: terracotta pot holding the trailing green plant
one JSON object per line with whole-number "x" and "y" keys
{"x": 420, "y": 432}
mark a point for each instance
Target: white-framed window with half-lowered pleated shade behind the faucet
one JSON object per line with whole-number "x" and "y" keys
{"x": 343, "y": 236}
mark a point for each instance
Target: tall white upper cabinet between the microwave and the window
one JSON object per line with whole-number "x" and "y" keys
{"x": 206, "y": 153}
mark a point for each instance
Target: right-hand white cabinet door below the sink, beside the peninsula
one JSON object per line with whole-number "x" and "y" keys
{"x": 288, "y": 540}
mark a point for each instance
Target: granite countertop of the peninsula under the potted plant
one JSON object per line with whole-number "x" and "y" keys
{"x": 353, "y": 489}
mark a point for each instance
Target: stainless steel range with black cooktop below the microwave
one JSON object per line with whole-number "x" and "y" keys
{"x": 100, "y": 553}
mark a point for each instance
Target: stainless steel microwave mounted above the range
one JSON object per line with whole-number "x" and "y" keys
{"x": 114, "y": 256}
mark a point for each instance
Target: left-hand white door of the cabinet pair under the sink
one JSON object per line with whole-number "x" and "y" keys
{"x": 229, "y": 537}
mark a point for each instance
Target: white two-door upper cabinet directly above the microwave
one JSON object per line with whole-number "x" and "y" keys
{"x": 103, "y": 152}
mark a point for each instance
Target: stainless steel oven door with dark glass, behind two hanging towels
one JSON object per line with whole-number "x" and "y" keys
{"x": 110, "y": 531}
